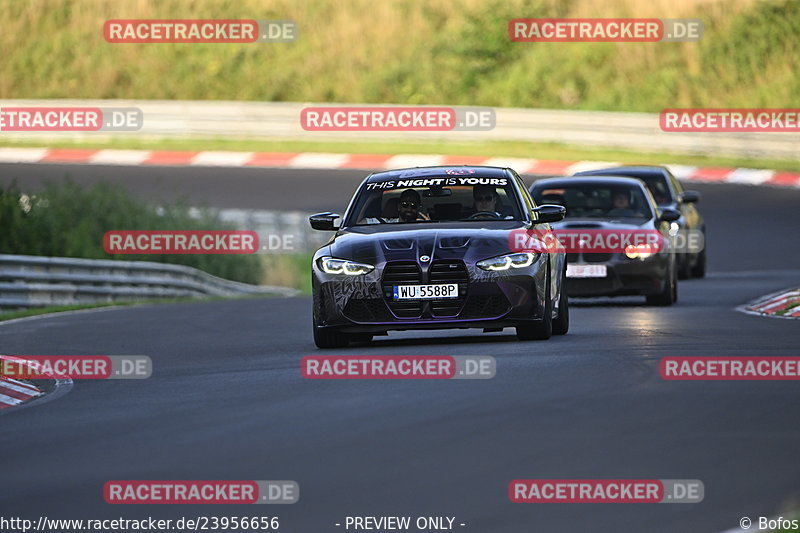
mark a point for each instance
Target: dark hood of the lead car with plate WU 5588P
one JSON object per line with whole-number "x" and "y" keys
{"x": 408, "y": 242}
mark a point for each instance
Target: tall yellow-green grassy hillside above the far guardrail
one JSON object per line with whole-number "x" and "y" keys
{"x": 396, "y": 51}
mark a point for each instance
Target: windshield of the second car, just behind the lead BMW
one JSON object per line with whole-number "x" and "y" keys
{"x": 596, "y": 201}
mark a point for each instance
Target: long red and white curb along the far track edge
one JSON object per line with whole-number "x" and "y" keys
{"x": 314, "y": 160}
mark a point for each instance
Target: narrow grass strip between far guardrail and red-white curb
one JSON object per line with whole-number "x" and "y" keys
{"x": 488, "y": 149}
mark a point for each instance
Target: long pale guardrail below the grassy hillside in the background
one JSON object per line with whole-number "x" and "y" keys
{"x": 270, "y": 120}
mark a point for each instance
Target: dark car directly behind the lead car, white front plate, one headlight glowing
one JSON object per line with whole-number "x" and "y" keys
{"x": 616, "y": 237}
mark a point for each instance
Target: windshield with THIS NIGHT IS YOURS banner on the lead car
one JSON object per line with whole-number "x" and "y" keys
{"x": 435, "y": 199}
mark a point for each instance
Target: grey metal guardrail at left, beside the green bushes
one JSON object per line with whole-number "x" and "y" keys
{"x": 28, "y": 281}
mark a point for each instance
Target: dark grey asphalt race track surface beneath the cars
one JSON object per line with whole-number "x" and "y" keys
{"x": 226, "y": 400}
